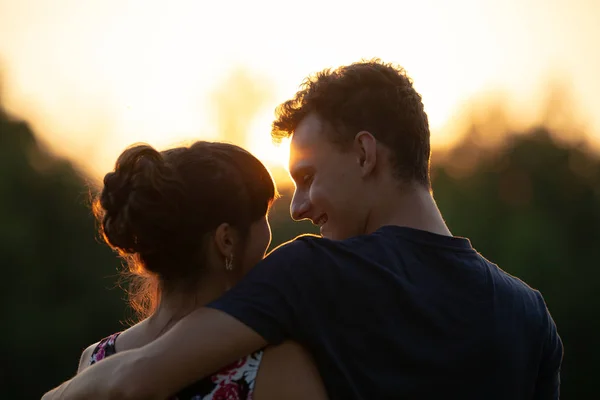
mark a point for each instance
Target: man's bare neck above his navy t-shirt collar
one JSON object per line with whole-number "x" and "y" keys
{"x": 410, "y": 206}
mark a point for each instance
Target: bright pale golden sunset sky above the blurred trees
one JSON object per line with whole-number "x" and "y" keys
{"x": 93, "y": 76}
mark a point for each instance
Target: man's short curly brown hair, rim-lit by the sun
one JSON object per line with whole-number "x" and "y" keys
{"x": 365, "y": 96}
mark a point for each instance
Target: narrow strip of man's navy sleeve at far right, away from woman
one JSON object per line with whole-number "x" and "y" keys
{"x": 548, "y": 381}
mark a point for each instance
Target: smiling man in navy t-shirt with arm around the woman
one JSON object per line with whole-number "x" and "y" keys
{"x": 389, "y": 303}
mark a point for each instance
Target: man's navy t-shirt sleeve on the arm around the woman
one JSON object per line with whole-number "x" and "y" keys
{"x": 270, "y": 297}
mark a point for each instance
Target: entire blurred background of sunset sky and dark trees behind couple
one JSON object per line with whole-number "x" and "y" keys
{"x": 512, "y": 89}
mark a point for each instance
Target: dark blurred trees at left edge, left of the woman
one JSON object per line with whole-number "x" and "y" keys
{"x": 54, "y": 295}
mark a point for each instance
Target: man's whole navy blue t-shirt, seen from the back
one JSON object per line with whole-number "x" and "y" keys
{"x": 403, "y": 314}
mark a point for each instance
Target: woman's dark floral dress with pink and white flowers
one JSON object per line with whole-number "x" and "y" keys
{"x": 235, "y": 382}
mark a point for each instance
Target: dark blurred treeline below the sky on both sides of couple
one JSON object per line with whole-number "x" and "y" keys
{"x": 531, "y": 204}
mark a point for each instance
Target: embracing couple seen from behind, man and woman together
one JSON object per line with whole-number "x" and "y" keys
{"x": 387, "y": 304}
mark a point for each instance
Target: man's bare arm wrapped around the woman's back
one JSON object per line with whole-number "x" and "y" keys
{"x": 199, "y": 344}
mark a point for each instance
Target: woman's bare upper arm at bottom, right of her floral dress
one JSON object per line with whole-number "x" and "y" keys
{"x": 288, "y": 371}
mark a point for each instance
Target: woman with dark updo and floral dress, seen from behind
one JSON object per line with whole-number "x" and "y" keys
{"x": 190, "y": 222}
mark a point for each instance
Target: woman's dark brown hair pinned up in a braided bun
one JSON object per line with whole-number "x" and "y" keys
{"x": 156, "y": 208}
